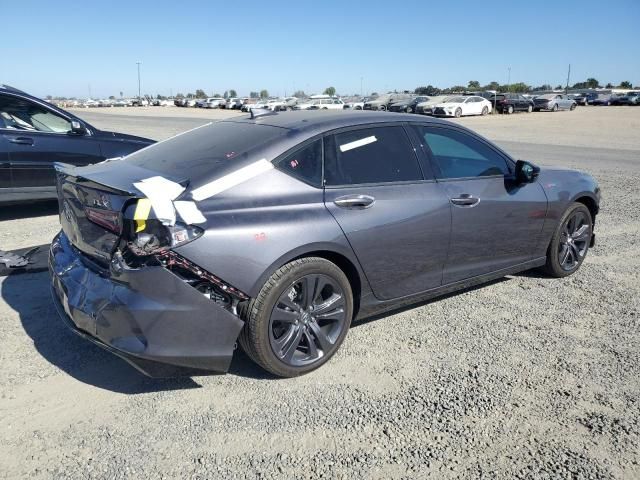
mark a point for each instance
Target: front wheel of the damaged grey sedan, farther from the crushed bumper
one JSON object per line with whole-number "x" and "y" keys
{"x": 570, "y": 242}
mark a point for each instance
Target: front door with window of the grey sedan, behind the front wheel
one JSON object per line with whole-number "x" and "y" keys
{"x": 495, "y": 223}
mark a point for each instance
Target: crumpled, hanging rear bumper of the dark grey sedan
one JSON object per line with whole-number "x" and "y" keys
{"x": 148, "y": 316}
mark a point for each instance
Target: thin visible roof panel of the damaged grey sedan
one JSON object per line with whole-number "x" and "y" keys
{"x": 313, "y": 122}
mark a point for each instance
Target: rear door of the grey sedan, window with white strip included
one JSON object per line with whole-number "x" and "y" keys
{"x": 396, "y": 218}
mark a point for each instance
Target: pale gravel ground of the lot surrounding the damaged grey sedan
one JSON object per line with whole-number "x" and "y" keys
{"x": 527, "y": 377}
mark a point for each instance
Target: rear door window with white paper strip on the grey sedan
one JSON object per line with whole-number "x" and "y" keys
{"x": 371, "y": 155}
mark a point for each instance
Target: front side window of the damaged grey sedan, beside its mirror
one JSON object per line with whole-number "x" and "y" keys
{"x": 459, "y": 155}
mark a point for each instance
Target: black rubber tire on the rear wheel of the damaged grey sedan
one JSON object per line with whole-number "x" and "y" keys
{"x": 257, "y": 336}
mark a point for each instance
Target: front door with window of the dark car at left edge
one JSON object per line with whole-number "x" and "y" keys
{"x": 37, "y": 137}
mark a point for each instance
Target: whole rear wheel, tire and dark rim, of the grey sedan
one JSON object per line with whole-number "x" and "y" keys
{"x": 300, "y": 317}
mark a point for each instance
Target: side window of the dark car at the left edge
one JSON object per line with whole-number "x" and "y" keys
{"x": 19, "y": 114}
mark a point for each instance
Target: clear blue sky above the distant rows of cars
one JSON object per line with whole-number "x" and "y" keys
{"x": 62, "y": 47}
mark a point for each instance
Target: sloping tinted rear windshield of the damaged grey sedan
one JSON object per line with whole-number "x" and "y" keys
{"x": 218, "y": 147}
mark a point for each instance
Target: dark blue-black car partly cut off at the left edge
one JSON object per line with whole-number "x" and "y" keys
{"x": 35, "y": 134}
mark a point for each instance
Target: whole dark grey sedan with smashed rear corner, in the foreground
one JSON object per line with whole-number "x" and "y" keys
{"x": 276, "y": 232}
